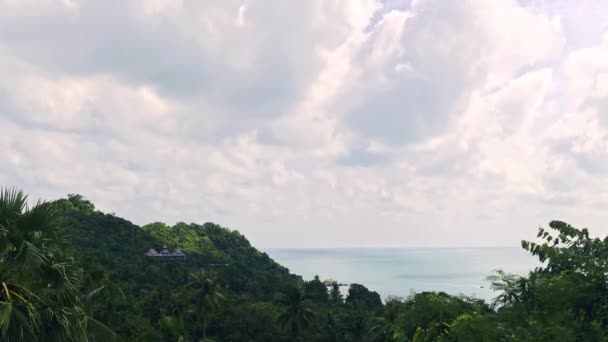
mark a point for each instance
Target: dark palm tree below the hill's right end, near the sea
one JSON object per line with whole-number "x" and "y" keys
{"x": 297, "y": 314}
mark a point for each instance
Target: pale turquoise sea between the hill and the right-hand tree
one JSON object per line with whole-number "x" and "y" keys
{"x": 400, "y": 271}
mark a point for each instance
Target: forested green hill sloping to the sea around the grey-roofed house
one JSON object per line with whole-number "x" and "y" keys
{"x": 115, "y": 247}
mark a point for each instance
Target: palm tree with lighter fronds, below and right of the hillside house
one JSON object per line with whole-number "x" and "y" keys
{"x": 205, "y": 296}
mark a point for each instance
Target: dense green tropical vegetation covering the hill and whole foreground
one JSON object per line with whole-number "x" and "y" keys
{"x": 71, "y": 273}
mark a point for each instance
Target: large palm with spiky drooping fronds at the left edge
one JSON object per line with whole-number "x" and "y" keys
{"x": 39, "y": 285}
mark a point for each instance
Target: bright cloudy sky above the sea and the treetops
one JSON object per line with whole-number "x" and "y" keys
{"x": 313, "y": 123}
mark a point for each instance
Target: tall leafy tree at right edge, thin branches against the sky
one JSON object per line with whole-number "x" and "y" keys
{"x": 573, "y": 279}
